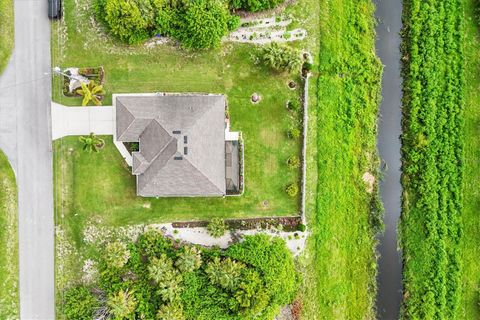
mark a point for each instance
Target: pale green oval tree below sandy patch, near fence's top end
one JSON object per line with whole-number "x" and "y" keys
{"x": 281, "y": 57}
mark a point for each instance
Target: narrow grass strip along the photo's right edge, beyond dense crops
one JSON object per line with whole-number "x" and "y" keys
{"x": 470, "y": 247}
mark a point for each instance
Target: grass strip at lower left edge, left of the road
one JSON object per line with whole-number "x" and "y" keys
{"x": 9, "y": 308}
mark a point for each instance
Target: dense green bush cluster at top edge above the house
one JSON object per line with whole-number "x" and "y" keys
{"x": 196, "y": 24}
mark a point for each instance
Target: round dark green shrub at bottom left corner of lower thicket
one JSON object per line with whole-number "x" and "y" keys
{"x": 79, "y": 304}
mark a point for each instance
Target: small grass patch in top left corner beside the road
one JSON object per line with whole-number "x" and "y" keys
{"x": 6, "y": 32}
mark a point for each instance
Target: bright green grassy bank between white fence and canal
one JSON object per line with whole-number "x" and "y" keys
{"x": 341, "y": 259}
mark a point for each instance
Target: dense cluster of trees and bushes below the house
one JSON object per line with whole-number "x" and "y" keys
{"x": 155, "y": 278}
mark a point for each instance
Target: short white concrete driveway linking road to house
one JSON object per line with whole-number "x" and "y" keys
{"x": 75, "y": 121}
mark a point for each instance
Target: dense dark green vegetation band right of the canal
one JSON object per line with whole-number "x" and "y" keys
{"x": 433, "y": 139}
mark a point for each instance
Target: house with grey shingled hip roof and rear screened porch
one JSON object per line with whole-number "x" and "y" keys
{"x": 185, "y": 146}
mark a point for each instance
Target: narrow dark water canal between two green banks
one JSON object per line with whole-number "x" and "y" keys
{"x": 389, "y": 280}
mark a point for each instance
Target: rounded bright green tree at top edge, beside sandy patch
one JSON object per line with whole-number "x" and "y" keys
{"x": 204, "y": 24}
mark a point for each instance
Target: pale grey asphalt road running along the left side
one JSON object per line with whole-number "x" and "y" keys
{"x": 25, "y": 95}
